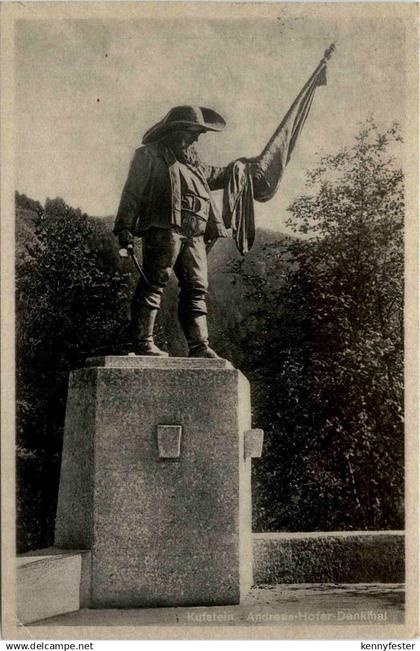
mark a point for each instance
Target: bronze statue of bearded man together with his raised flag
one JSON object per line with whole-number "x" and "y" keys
{"x": 167, "y": 201}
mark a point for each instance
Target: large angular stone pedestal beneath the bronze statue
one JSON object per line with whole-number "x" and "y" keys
{"x": 155, "y": 480}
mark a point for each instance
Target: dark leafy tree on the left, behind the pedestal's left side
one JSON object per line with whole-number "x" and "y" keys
{"x": 71, "y": 303}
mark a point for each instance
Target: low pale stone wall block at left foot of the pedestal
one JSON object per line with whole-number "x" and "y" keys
{"x": 50, "y": 582}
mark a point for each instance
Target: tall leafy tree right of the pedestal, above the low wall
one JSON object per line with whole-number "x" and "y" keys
{"x": 329, "y": 360}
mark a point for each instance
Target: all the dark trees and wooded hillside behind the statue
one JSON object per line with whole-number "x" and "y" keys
{"x": 314, "y": 320}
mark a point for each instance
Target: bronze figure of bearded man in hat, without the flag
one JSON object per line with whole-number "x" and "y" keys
{"x": 167, "y": 201}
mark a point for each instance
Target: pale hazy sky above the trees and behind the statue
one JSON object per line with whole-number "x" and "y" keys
{"x": 87, "y": 90}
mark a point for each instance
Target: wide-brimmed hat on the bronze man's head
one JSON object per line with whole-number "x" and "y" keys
{"x": 185, "y": 117}
